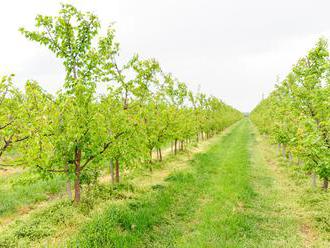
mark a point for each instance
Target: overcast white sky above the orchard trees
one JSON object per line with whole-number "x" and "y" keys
{"x": 234, "y": 50}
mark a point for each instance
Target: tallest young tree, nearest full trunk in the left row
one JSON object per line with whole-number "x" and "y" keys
{"x": 80, "y": 136}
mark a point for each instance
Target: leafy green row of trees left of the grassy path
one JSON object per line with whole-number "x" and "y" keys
{"x": 141, "y": 107}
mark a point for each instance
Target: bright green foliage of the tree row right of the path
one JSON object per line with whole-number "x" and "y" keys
{"x": 297, "y": 114}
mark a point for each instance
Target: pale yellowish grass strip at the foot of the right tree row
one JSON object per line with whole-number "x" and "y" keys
{"x": 311, "y": 204}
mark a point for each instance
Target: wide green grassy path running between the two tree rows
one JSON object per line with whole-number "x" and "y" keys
{"x": 228, "y": 197}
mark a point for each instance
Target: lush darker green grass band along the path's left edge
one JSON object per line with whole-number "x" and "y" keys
{"x": 155, "y": 219}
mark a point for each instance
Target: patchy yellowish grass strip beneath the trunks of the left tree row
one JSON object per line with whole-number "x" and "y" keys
{"x": 53, "y": 221}
